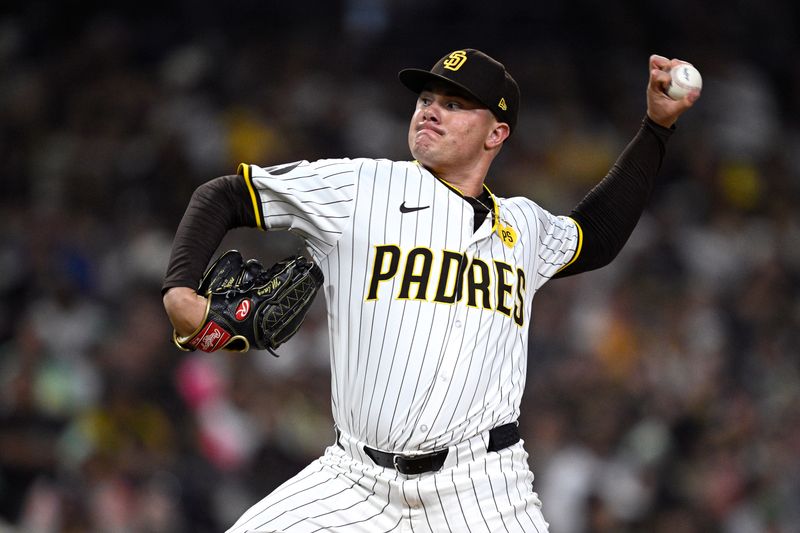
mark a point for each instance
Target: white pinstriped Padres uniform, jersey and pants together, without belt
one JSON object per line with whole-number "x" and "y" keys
{"x": 410, "y": 371}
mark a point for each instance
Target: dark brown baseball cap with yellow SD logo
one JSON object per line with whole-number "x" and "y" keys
{"x": 480, "y": 76}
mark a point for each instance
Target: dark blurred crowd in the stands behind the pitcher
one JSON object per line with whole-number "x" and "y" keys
{"x": 663, "y": 391}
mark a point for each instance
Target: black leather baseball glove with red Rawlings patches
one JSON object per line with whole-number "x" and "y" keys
{"x": 250, "y": 307}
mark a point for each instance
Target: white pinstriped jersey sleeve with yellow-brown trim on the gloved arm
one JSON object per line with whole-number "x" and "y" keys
{"x": 313, "y": 200}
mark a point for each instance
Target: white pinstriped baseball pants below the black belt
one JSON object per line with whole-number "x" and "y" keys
{"x": 476, "y": 492}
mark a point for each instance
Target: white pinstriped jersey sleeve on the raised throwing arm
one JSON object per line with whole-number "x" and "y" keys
{"x": 558, "y": 244}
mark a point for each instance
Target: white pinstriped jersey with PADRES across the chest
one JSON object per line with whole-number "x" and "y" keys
{"x": 428, "y": 319}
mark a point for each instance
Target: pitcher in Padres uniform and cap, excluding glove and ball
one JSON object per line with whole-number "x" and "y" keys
{"x": 428, "y": 281}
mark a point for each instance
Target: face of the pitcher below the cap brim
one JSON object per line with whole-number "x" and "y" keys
{"x": 448, "y": 129}
